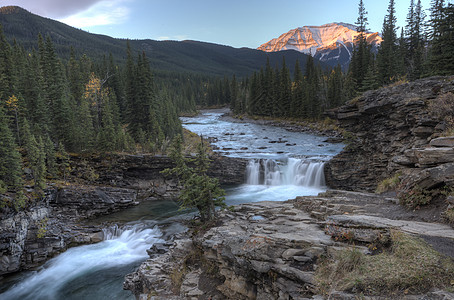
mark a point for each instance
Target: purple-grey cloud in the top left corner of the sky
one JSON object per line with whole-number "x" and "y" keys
{"x": 53, "y": 8}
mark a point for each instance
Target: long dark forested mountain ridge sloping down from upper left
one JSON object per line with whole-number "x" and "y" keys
{"x": 166, "y": 56}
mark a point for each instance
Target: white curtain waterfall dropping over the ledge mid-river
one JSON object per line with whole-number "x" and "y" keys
{"x": 293, "y": 172}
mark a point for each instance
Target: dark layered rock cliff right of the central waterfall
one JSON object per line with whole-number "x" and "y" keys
{"x": 391, "y": 130}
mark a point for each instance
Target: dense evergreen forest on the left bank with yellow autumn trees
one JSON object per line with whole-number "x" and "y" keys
{"x": 49, "y": 107}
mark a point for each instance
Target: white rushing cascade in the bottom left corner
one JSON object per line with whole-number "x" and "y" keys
{"x": 83, "y": 265}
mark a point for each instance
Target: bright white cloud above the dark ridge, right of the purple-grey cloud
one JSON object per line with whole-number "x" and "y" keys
{"x": 103, "y": 13}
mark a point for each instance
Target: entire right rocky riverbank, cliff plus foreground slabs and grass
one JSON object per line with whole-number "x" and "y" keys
{"x": 340, "y": 245}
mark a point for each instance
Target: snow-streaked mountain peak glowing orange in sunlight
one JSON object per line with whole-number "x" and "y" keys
{"x": 330, "y": 43}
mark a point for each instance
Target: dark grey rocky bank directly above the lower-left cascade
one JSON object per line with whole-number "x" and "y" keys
{"x": 29, "y": 238}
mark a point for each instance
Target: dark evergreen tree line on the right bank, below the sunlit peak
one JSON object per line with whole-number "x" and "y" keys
{"x": 425, "y": 48}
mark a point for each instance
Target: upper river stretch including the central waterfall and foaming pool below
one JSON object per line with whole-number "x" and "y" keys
{"x": 282, "y": 164}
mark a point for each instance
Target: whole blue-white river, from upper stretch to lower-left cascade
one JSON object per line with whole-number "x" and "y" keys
{"x": 282, "y": 165}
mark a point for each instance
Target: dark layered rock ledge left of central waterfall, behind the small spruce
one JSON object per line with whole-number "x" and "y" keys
{"x": 143, "y": 173}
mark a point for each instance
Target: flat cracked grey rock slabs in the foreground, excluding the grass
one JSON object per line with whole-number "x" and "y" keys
{"x": 271, "y": 250}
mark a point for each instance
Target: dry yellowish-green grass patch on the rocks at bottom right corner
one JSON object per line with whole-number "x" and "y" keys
{"x": 409, "y": 265}
